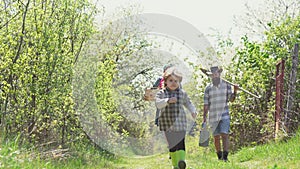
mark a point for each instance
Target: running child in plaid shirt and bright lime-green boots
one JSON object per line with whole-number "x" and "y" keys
{"x": 172, "y": 121}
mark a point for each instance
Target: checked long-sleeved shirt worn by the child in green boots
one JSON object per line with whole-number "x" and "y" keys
{"x": 173, "y": 116}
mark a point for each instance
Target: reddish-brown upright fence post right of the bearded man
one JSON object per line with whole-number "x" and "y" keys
{"x": 279, "y": 94}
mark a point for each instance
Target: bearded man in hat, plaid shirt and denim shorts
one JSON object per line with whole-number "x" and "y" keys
{"x": 216, "y": 97}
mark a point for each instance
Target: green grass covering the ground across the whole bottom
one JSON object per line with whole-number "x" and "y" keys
{"x": 280, "y": 155}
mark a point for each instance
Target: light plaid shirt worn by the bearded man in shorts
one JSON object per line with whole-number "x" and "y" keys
{"x": 217, "y": 100}
